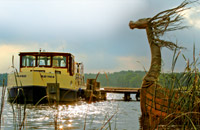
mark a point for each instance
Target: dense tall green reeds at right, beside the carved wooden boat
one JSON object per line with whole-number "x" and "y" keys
{"x": 184, "y": 95}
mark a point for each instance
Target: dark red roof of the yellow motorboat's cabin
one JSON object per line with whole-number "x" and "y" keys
{"x": 46, "y": 53}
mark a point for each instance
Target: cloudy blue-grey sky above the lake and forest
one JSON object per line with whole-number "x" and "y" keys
{"x": 96, "y": 32}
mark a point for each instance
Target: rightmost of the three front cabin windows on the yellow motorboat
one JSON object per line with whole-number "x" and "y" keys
{"x": 59, "y": 61}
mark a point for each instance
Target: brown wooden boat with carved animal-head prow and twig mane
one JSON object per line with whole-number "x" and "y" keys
{"x": 159, "y": 105}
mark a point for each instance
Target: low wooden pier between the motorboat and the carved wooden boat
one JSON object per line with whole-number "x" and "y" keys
{"x": 126, "y": 91}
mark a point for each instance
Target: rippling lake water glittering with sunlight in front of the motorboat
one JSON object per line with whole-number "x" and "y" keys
{"x": 76, "y": 116}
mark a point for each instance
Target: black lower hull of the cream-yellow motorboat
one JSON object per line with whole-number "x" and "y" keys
{"x": 38, "y": 94}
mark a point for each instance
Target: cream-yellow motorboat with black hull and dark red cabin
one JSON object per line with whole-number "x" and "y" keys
{"x": 45, "y": 76}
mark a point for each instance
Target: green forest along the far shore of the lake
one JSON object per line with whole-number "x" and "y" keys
{"x": 132, "y": 79}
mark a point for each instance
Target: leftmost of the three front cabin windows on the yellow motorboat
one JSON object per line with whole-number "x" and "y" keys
{"x": 28, "y": 60}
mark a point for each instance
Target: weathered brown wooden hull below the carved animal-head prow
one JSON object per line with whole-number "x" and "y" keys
{"x": 157, "y": 103}
